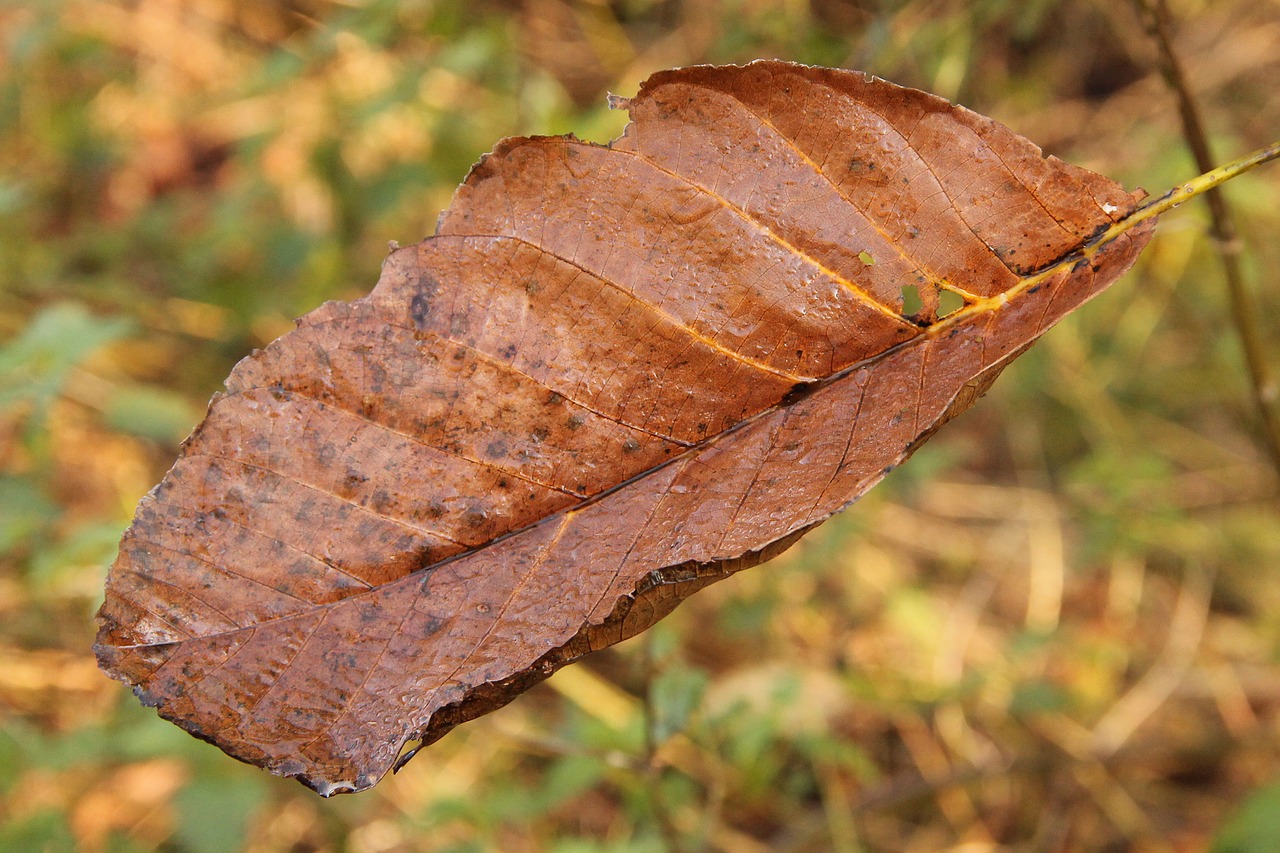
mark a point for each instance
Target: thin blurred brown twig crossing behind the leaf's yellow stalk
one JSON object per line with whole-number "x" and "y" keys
{"x": 1267, "y": 396}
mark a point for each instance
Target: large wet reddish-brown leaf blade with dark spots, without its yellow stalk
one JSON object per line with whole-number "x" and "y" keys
{"x": 616, "y": 376}
